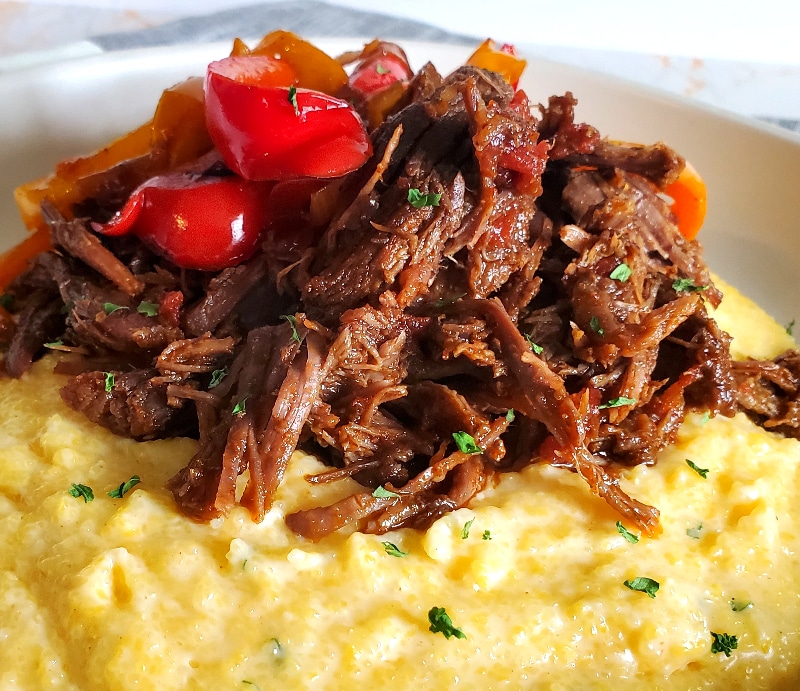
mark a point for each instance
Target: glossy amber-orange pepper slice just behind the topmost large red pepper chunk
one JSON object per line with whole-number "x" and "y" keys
{"x": 315, "y": 69}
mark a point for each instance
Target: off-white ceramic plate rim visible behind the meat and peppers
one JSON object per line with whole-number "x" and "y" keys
{"x": 752, "y": 232}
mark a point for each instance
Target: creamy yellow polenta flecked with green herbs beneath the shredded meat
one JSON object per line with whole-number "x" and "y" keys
{"x": 128, "y": 594}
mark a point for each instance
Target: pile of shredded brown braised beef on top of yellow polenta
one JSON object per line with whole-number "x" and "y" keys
{"x": 542, "y": 306}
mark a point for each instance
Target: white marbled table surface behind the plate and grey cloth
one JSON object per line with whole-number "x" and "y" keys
{"x": 739, "y": 56}
